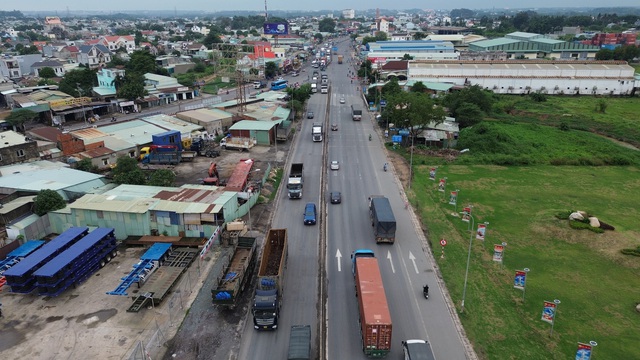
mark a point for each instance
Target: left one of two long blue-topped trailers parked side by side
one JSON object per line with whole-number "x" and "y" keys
{"x": 20, "y": 277}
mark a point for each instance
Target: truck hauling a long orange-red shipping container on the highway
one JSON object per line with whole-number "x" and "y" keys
{"x": 375, "y": 319}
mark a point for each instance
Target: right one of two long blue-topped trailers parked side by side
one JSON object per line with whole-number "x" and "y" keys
{"x": 77, "y": 263}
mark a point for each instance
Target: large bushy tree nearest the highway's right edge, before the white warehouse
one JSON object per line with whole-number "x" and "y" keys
{"x": 412, "y": 111}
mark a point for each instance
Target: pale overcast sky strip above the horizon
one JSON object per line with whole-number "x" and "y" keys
{"x": 258, "y": 5}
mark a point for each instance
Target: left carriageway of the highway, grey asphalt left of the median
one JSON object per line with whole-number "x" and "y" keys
{"x": 301, "y": 302}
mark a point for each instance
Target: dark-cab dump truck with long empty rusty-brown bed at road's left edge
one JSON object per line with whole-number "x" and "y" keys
{"x": 268, "y": 298}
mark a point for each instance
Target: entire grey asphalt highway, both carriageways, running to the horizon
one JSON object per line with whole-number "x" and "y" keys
{"x": 404, "y": 265}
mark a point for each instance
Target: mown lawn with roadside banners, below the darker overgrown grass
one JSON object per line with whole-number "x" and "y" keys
{"x": 597, "y": 286}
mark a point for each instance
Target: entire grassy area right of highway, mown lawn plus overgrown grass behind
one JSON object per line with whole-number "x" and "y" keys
{"x": 596, "y": 284}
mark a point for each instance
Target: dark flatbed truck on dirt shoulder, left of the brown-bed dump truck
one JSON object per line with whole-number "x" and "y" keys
{"x": 237, "y": 274}
